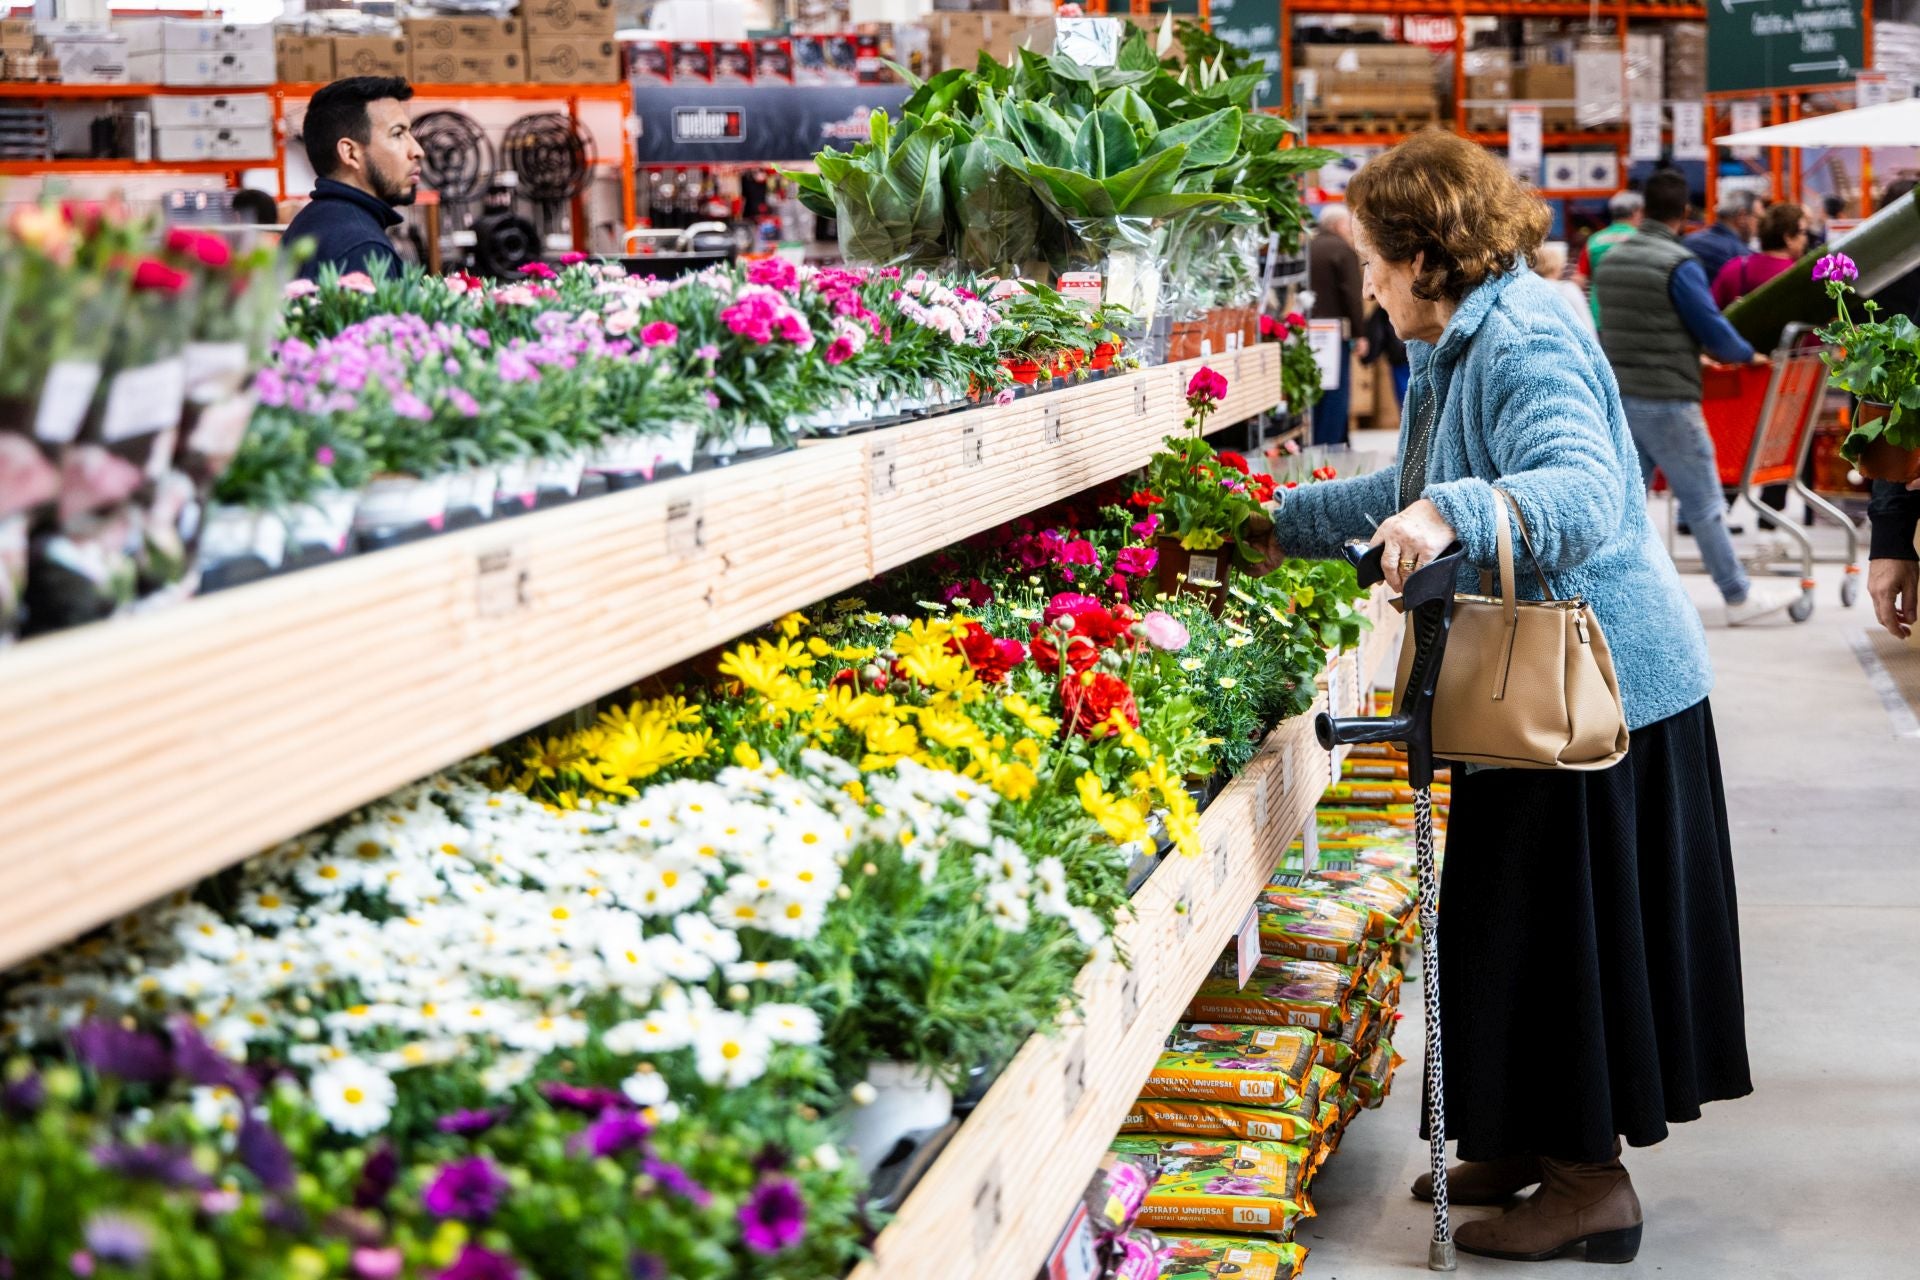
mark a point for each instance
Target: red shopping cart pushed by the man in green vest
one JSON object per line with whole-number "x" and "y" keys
{"x": 1762, "y": 419}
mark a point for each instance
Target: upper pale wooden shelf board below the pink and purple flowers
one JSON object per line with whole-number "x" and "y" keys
{"x": 147, "y": 753}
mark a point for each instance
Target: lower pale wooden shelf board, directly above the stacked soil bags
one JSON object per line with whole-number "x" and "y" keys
{"x": 1001, "y": 1193}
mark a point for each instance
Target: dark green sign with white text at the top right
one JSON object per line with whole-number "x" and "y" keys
{"x": 1783, "y": 43}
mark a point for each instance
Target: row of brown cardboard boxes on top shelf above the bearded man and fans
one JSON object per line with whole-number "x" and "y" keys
{"x": 546, "y": 43}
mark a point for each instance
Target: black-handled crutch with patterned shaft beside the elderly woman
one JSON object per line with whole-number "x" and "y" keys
{"x": 1428, "y": 604}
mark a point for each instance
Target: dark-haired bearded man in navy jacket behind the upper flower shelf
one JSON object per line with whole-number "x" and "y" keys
{"x": 360, "y": 141}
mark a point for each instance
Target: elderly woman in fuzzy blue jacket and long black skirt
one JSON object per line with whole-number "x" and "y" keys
{"x": 1593, "y": 951}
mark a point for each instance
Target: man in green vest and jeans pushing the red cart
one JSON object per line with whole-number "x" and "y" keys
{"x": 1662, "y": 320}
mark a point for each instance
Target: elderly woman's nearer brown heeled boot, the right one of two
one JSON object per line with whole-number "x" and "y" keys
{"x": 1577, "y": 1206}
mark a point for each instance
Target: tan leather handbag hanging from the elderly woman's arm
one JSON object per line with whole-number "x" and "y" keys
{"x": 1524, "y": 684}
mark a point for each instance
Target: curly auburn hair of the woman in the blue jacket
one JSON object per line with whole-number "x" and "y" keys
{"x": 1454, "y": 202}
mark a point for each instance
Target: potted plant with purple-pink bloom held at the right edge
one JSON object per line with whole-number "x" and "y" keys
{"x": 1879, "y": 362}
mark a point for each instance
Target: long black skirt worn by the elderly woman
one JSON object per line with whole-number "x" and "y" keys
{"x": 1591, "y": 951}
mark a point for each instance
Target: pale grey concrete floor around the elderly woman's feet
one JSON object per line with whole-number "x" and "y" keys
{"x": 1817, "y": 1173}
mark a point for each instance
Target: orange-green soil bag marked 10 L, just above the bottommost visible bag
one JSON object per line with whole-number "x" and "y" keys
{"x": 1207, "y": 1185}
